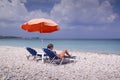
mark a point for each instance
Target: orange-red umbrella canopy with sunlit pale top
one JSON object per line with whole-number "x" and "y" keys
{"x": 41, "y": 25}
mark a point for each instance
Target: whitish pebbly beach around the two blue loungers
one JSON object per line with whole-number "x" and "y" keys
{"x": 88, "y": 66}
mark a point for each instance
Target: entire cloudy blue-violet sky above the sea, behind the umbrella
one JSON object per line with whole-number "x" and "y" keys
{"x": 76, "y": 18}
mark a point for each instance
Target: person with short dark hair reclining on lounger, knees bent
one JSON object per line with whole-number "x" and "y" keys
{"x": 60, "y": 55}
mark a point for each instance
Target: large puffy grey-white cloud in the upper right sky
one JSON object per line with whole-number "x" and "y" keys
{"x": 84, "y": 11}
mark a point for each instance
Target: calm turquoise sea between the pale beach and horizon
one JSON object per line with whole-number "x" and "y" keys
{"x": 107, "y": 46}
